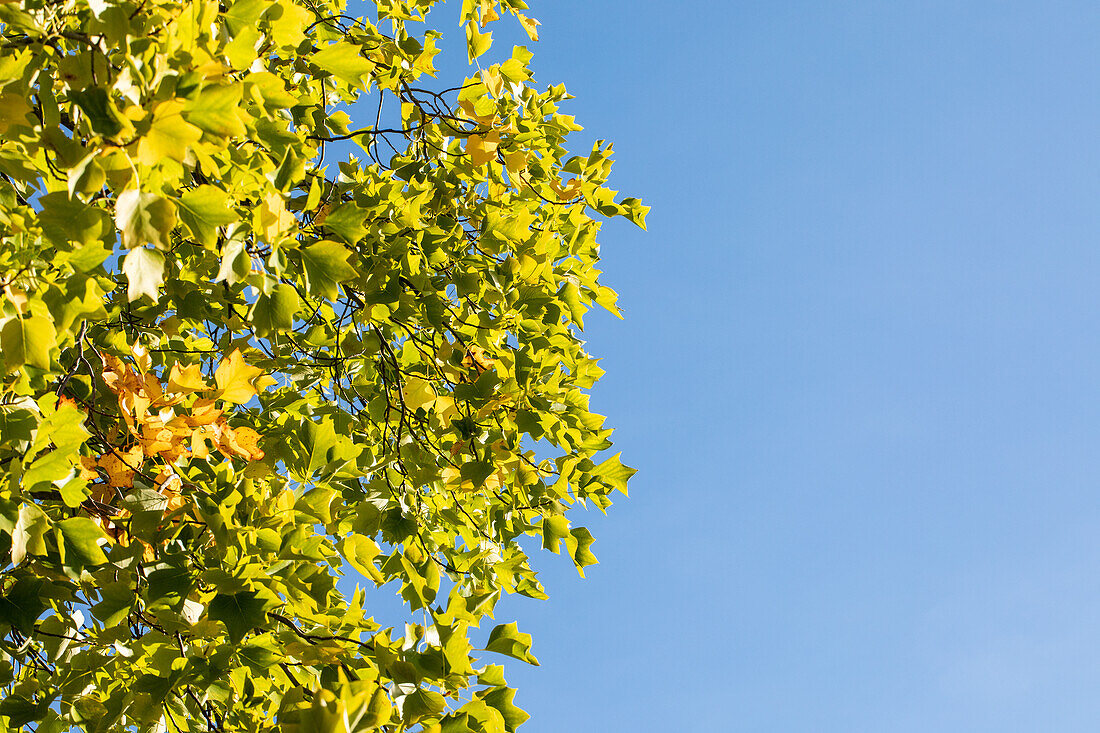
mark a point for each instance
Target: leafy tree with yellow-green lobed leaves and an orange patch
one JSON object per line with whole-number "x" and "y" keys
{"x": 240, "y": 378}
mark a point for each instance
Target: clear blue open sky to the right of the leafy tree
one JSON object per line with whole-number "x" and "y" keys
{"x": 859, "y": 374}
